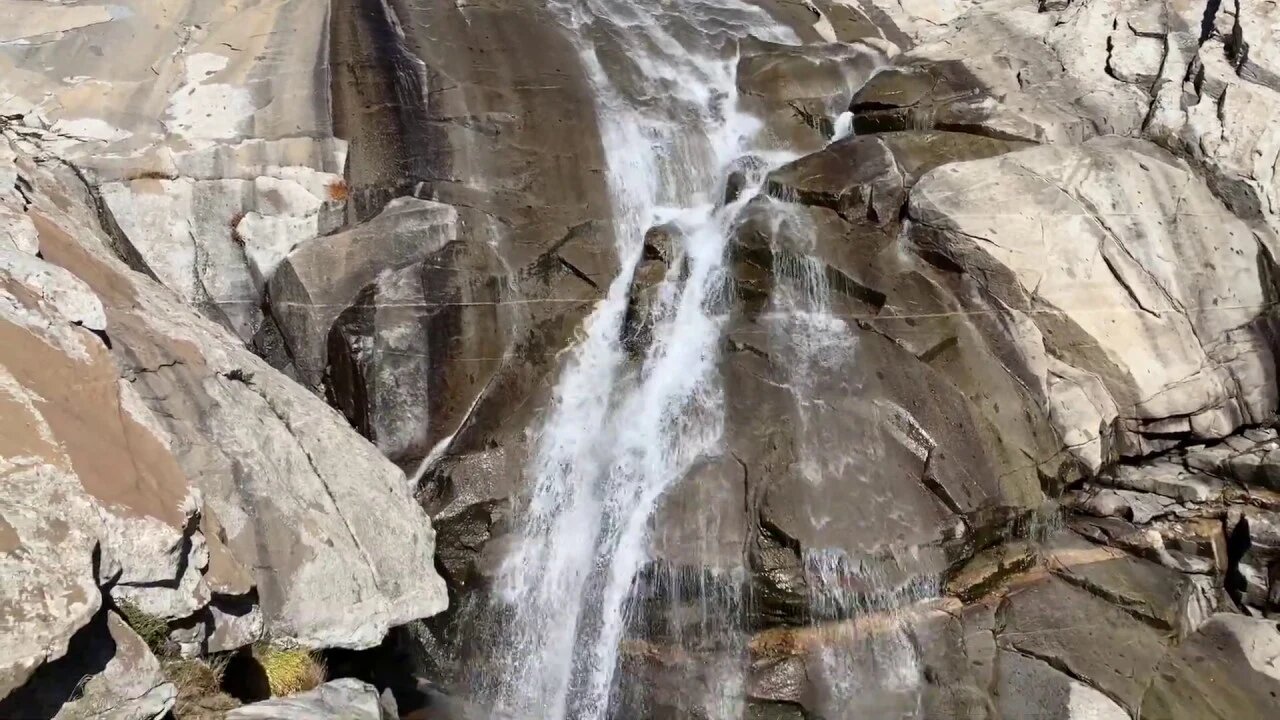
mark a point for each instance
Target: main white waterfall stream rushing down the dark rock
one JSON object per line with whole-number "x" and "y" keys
{"x": 620, "y": 434}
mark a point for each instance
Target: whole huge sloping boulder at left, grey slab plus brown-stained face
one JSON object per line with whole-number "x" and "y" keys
{"x": 193, "y": 482}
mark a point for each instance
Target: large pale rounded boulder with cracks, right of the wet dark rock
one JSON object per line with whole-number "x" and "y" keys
{"x": 1131, "y": 350}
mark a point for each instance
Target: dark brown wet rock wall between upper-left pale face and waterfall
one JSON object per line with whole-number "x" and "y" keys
{"x": 486, "y": 110}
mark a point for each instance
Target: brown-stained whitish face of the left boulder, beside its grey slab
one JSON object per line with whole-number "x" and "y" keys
{"x": 92, "y": 494}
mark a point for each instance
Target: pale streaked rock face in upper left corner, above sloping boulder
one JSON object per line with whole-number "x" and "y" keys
{"x": 207, "y": 135}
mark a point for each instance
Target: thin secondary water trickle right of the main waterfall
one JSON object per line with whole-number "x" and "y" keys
{"x": 867, "y": 666}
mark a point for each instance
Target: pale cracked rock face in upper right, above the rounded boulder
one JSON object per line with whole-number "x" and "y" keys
{"x": 1183, "y": 75}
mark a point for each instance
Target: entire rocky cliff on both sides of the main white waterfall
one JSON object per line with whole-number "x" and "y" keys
{"x": 999, "y": 366}
